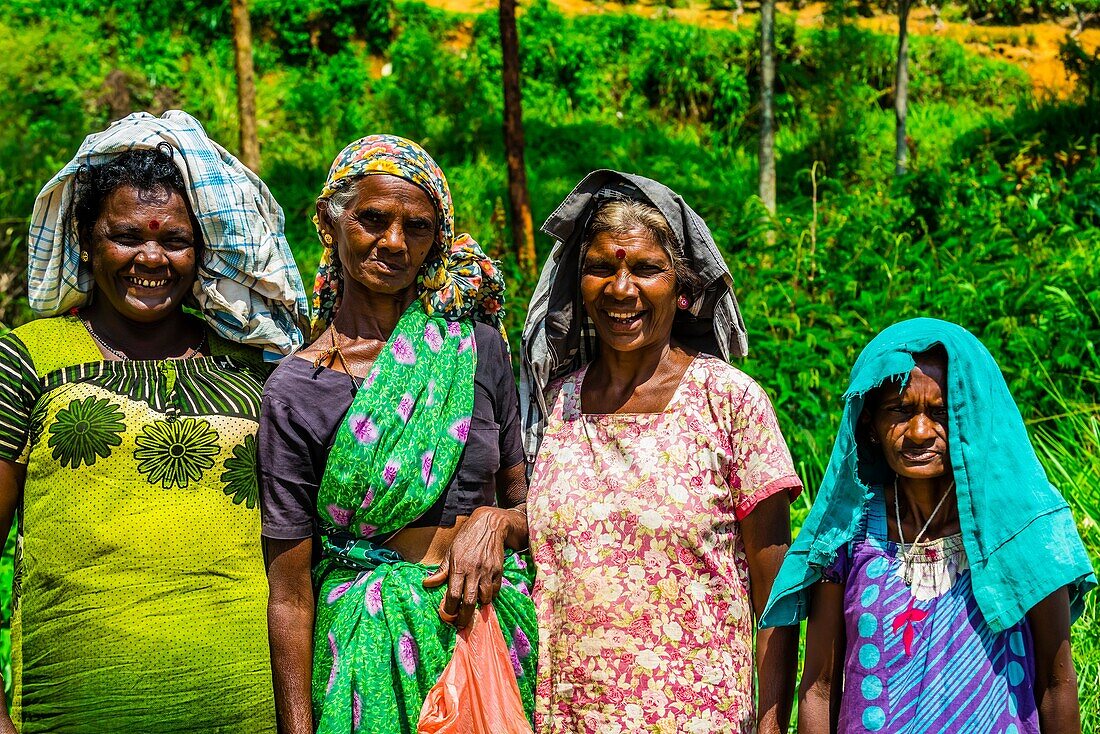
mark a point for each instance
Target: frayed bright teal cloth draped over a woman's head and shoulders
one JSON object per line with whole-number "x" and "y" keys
{"x": 1019, "y": 534}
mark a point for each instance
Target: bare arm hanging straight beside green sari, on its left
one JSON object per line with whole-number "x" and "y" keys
{"x": 291, "y": 632}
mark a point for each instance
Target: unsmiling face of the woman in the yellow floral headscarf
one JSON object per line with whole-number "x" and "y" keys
{"x": 386, "y": 234}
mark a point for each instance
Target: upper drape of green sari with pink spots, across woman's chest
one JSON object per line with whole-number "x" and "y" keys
{"x": 402, "y": 439}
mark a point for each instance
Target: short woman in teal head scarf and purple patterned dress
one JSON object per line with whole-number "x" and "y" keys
{"x": 939, "y": 568}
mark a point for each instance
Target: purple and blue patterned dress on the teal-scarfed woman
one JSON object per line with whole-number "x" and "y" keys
{"x": 920, "y": 659}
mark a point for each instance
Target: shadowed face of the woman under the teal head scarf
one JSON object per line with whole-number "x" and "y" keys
{"x": 912, "y": 426}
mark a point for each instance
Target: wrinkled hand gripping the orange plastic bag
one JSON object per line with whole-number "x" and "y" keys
{"x": 475, "y": 564}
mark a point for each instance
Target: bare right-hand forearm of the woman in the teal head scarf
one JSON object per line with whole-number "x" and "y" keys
{"x": 1055, "y": 676}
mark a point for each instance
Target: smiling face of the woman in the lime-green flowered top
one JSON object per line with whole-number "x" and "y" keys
{"x": 144, "y": 254}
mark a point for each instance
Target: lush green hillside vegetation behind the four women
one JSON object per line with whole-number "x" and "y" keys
{"x": 997, "y": 226}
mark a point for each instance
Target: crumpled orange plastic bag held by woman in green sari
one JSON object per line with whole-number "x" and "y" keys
{"x": 477, "y": 693}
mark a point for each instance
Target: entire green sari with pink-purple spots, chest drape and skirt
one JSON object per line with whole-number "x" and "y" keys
{"x": 380, "y": 644}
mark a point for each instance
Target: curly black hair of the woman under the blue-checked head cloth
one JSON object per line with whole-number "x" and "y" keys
{"x": 149, "y": 170}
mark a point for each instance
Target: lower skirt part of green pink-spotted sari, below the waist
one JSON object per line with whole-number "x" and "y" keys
{"x": 380, "y": 645}
